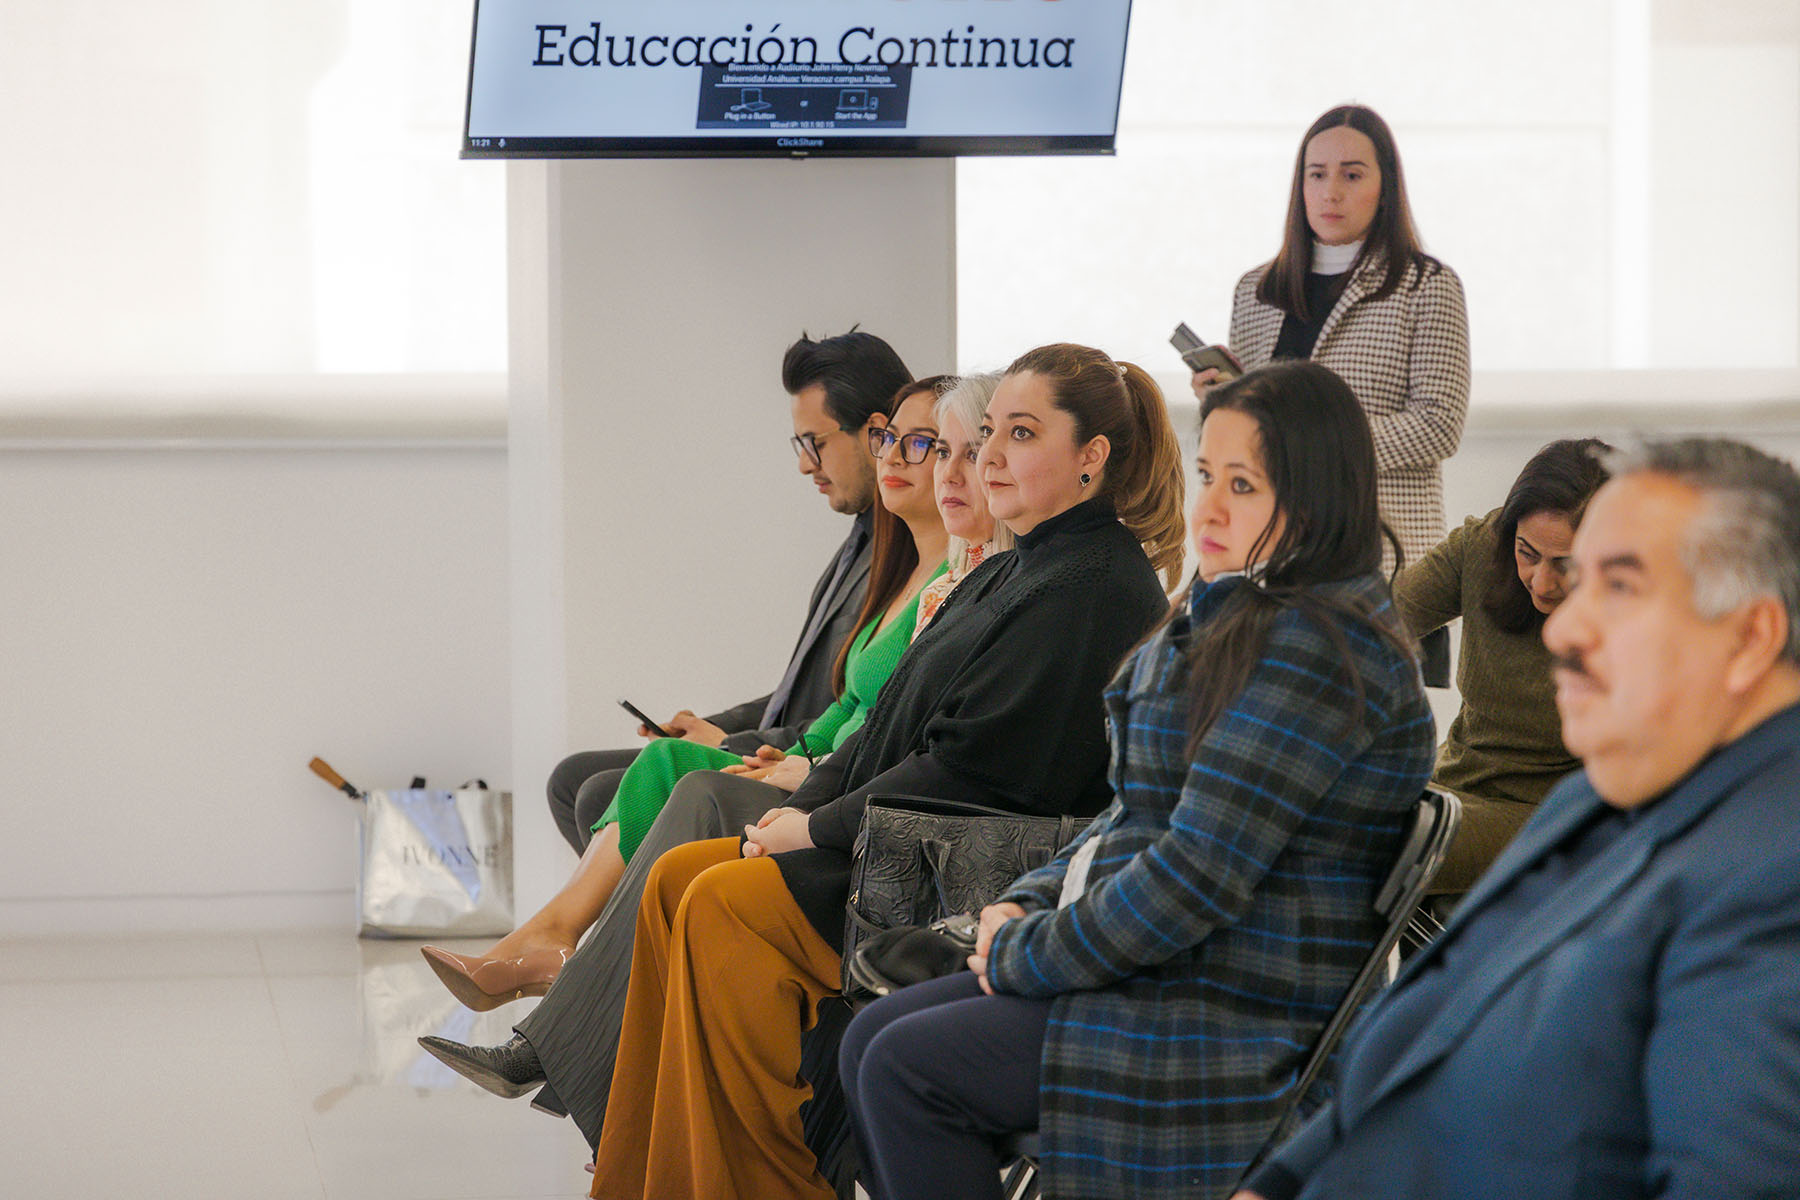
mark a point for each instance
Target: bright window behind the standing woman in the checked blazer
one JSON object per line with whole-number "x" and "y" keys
{"x": 1615, "y": 181}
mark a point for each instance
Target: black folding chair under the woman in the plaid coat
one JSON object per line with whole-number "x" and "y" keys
{"x": 1399, "y": 908}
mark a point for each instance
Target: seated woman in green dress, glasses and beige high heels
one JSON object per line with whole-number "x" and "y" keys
{"x": 908, "y": 553}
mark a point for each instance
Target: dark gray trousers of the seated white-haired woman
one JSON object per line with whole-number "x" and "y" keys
{"x": 575, "y": 1030}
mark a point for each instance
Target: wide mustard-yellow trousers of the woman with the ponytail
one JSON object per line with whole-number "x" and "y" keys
{"x": 706, "y": 1095}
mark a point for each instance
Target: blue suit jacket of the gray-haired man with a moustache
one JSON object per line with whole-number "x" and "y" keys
{"x": 1639, "y": 1037}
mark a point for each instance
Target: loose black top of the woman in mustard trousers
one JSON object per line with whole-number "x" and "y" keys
{"x": 998, "y": 703}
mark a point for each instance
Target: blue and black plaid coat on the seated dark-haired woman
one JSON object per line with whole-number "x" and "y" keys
{"x": 1228, "y": 902}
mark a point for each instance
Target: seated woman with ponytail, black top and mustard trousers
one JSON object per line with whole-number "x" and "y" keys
{"x": 996, "y": 703}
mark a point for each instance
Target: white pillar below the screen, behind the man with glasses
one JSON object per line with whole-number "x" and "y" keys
{"x": 661, "y": 541}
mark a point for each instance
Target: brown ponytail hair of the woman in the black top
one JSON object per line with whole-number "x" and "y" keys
{"x": 1144, "y": 476}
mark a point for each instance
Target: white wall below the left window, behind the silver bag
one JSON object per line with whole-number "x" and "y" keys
{"x": 184, "y": 627}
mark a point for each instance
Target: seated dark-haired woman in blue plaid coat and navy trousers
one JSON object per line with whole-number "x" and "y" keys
{"x": 1147, "y": 999}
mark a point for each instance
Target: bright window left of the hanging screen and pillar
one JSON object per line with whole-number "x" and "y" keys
{"x": 256, "y": 188}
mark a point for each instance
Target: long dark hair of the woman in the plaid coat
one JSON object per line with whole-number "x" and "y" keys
{"x": 1320, "y": 460}
